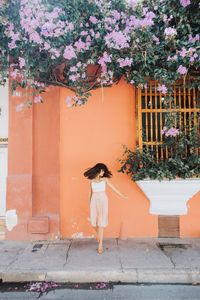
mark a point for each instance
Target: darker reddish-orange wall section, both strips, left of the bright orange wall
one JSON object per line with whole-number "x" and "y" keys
{"x": 33, "y": 165}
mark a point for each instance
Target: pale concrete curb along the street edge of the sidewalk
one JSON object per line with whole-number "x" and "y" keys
{"x": 160, "y": 276}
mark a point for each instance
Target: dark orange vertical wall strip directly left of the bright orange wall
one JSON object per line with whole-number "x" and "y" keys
{"x": 46, "y": 137}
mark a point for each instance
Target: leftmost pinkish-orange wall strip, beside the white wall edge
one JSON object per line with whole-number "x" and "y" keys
{"x": 19, "y": 180}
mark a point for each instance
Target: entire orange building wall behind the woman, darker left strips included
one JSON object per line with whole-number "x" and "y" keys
{"x": 51, "y": 145}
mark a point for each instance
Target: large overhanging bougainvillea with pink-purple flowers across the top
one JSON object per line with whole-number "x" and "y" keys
{"x": 86, "y": 44}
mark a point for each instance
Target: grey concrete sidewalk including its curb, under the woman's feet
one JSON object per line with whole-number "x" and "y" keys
{"x": 145, "y": 260}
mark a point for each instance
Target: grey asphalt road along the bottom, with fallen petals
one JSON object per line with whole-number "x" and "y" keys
{"x": 116, "y": 292}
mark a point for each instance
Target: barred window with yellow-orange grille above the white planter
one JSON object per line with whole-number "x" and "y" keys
{"x": 152, "y": 115}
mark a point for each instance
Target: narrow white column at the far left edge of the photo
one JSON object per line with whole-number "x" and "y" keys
{"x": 3, "y": 147}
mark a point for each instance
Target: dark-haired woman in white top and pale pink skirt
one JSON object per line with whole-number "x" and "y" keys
{"x": 99, "y": 175}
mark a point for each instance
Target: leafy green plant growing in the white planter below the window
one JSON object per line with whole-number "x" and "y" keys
{"x": 182, "y": 159}
